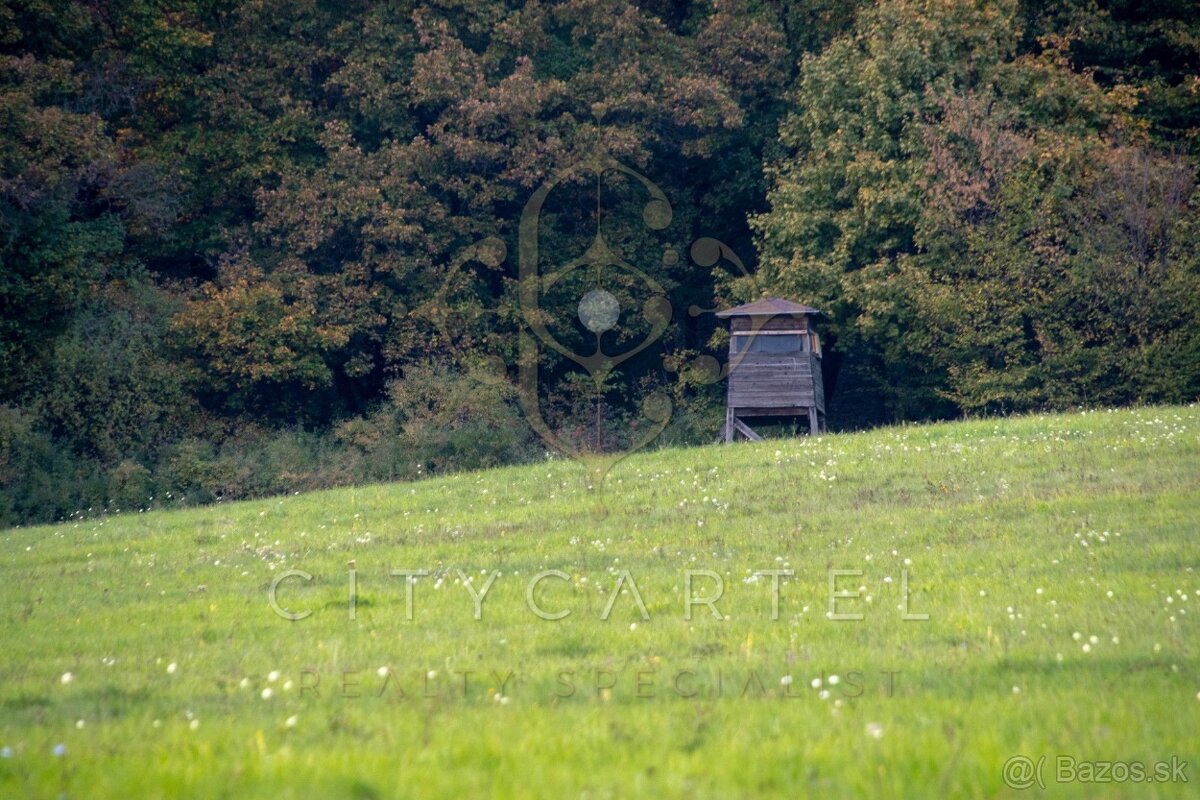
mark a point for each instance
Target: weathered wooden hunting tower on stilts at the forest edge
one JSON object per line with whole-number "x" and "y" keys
{"x": 775, "y": 366}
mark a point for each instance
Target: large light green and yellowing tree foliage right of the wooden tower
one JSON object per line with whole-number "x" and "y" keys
{"x": 987, "y": 227}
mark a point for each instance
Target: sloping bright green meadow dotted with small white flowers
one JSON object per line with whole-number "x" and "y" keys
{"x": 1054, "y": 556}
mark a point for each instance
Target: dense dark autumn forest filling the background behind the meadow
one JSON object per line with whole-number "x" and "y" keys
{"x": 227, "y": 228}
